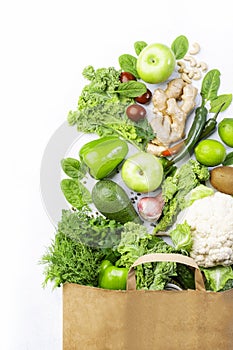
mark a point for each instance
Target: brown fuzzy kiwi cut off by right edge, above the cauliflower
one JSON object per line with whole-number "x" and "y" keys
{"x": 221, "y": 178}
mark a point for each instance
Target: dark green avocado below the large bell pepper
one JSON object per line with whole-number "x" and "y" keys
{"x": 112, "y": 201}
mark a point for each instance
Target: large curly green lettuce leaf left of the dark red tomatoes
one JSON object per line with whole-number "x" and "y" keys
{"x": 101, "y": 109}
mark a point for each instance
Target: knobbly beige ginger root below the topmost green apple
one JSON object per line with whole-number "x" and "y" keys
{"x": 171, "y": 108}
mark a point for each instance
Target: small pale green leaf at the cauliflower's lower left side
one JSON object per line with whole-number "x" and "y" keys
{"x": 181, "y": 237}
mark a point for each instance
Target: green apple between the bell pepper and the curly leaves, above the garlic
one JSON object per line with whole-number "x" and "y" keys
{"x": 142, "y": 172}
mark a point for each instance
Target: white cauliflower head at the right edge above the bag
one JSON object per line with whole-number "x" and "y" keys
{"x": 211, "y": 222}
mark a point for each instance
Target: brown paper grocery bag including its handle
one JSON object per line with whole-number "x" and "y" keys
{"x": 99, "y": 319}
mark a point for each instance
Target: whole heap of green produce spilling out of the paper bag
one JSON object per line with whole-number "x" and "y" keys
{"x": 161, "y": 166}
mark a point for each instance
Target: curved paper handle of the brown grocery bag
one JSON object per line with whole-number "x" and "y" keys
{"x": 160, "y": 257}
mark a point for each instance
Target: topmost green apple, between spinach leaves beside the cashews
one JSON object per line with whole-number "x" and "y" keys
{"x": 155, "y": 63}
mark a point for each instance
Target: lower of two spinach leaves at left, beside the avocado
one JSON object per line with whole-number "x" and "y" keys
{"x": 75, "y": 193}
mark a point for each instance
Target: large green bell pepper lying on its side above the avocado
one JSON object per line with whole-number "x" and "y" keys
{"x": 103, "y": 155}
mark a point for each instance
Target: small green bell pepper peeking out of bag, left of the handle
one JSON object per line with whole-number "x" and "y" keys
{"x": 112, "y": 277}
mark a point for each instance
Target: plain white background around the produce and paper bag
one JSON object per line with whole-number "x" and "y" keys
{"x": 44, "y": 47}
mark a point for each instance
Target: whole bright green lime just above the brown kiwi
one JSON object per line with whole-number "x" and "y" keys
{"x": 210, "y": 152}
